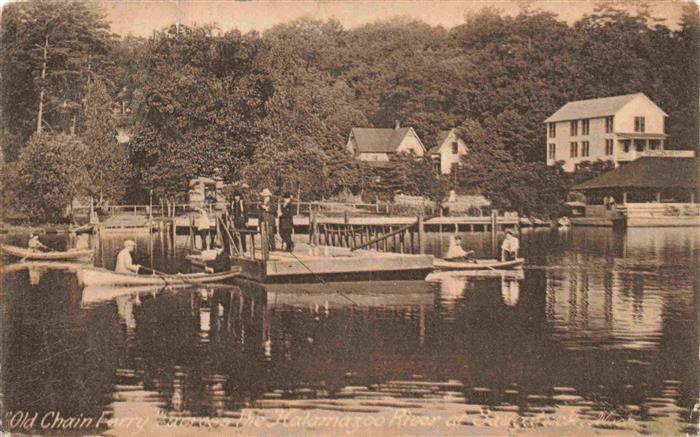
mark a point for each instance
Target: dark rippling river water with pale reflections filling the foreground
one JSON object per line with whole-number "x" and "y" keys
{"x": 599, "y": 335}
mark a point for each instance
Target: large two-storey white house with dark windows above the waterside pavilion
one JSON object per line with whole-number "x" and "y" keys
{"x": 619, "y": 128}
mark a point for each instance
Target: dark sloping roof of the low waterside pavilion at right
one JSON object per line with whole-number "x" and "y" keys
{"x": 648, "y": 172}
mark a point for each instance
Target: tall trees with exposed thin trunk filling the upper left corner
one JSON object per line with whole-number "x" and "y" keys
{"x": 50, "y": 52}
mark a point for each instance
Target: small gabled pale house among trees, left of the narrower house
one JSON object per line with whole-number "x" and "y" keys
{"x": 379, "y": 144}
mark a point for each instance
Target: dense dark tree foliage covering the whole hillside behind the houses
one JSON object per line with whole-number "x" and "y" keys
{"x": 275, "y": 109}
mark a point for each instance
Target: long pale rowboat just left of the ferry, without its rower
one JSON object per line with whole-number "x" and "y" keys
{"x": 89, "y": 276}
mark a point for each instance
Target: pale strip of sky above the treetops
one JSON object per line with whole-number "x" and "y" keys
{"x": 141, "y": 18}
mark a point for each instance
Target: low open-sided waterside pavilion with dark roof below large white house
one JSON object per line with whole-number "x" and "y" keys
{"x": 651, "y": 191}
